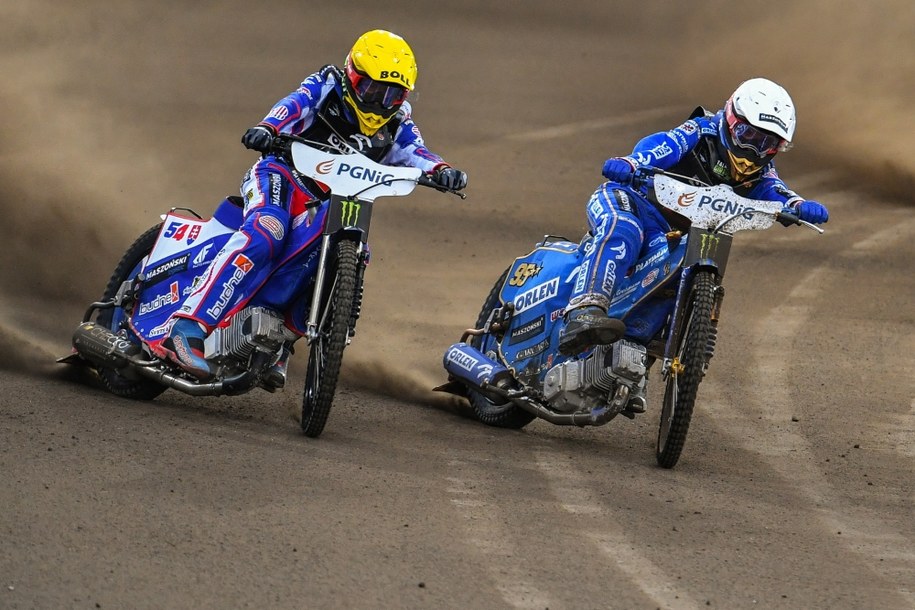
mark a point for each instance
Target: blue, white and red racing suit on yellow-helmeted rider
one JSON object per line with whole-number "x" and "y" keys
{"x": 275, "y": 195}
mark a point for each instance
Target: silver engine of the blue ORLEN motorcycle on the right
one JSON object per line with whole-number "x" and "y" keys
{"x": 577, "y": 385}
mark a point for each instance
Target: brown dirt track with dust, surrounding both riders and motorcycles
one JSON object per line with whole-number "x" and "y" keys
{"x": 795, "y": 489}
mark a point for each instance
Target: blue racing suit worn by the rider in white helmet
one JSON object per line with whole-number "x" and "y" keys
{"x": 622, "y": 220}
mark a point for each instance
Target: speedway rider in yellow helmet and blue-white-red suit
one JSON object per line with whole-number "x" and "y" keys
{"x": 361, "y": 107}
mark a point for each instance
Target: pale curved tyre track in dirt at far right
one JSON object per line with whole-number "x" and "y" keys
{"x": 788, "y": 453}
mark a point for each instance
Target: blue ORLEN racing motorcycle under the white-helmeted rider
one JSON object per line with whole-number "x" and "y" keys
{"x": 509, "y": 368}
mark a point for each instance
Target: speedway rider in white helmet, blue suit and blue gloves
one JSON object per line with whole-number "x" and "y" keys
{"x": 734, "y": 146}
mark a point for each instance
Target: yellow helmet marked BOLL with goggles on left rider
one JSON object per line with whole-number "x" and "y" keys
{"x": 380, "y": 72}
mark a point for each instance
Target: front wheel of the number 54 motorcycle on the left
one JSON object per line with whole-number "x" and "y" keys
{"x": 326, "y": 351}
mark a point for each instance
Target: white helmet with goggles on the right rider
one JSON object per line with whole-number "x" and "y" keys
{"x": 758, "y": 121}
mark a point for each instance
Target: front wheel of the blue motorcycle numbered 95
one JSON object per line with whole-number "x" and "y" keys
{"x": 694, "y": 349}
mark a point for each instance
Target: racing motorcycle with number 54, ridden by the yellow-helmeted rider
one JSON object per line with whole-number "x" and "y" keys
{"x": 315, "y": 293}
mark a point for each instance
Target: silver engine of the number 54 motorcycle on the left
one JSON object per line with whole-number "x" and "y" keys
{"x": 252, "y": 328}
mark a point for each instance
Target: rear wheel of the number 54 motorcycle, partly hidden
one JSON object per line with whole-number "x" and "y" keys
{"x": 113, "y": 319}
